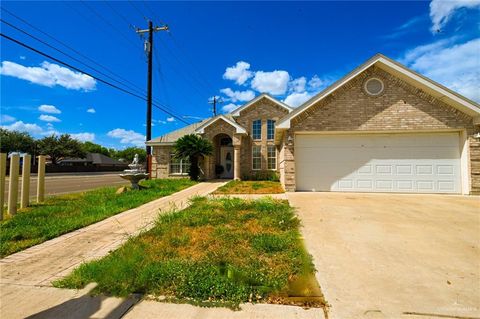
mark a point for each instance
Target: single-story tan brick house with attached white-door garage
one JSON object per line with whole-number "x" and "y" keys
{"x": 381, "y": 128}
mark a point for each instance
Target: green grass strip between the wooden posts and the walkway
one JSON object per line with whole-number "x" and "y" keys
{"x": 65, "y": 213}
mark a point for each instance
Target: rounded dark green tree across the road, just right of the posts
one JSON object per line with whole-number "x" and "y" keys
{"x": 60, "y": 147}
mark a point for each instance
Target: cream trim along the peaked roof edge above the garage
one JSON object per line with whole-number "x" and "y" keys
{"x": 437, "y": 90}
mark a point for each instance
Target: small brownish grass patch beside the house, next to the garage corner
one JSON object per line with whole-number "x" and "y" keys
{"x": 250, "y": 187}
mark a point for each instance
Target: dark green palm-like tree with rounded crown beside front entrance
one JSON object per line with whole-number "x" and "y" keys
{"x": 192, "y": 147}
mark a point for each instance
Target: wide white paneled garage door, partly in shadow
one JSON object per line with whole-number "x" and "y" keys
{"x": 405, "y": 163}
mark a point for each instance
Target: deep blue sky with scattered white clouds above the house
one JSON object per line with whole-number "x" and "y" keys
{"x": 235, "y": 50}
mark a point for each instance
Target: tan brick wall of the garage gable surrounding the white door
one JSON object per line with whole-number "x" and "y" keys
{"x": 400, "y": 107}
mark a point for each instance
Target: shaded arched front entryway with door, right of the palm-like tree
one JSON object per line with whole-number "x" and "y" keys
{"x": 224, "y": 157}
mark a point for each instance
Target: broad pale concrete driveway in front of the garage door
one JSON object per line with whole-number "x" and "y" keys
{"x": 392, "y": 255}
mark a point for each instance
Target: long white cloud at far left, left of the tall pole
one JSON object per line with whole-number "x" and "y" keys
{"x": 49, "y": 74}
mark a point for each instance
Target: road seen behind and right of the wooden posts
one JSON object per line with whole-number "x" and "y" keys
{"x": 70, "y": 183}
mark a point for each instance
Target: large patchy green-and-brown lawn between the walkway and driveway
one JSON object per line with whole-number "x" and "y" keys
{"x": 217, "y": 252}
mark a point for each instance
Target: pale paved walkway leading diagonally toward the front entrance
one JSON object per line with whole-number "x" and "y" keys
{"x": 25, "y": 277}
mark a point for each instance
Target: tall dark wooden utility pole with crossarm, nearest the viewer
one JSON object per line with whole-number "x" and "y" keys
{"x": 149, "y": 50}
